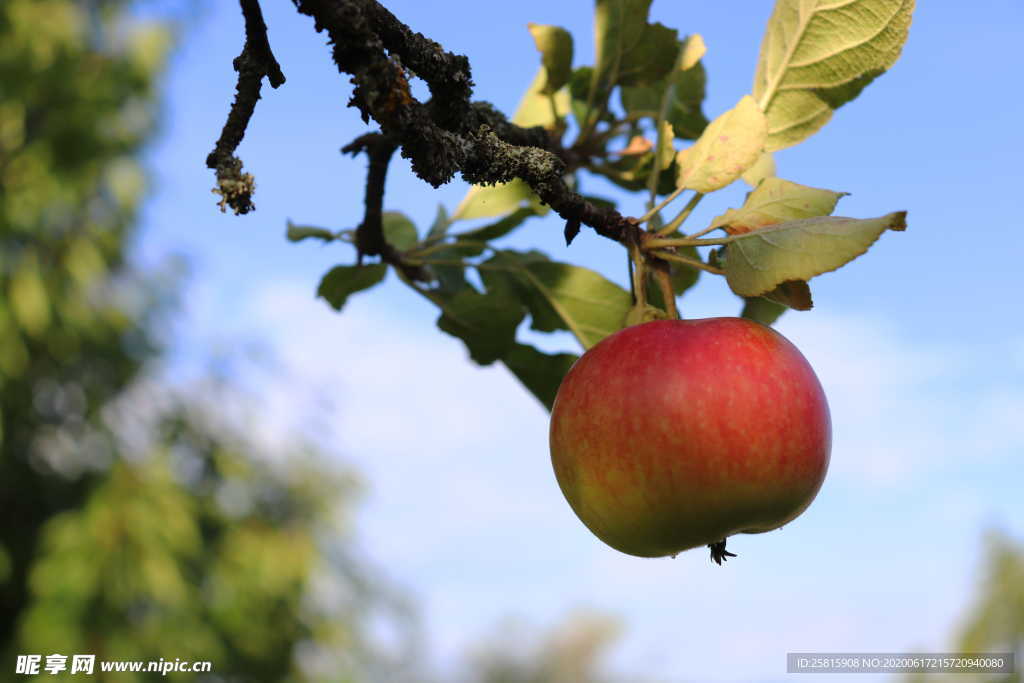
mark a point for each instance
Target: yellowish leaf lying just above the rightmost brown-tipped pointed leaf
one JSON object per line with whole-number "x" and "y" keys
{"x": 777, "y": 201}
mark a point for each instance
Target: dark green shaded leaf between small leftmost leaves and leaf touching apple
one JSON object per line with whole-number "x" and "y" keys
{"x": 486, "y": 323}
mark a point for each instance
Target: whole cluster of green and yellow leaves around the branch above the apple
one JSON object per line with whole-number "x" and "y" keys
{"x": 635, "y": 116}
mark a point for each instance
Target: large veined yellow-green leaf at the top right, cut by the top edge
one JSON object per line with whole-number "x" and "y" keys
{"x": 819, "y": 56}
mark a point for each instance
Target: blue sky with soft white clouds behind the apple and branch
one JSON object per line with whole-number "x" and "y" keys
{"x": 919, "y": 344}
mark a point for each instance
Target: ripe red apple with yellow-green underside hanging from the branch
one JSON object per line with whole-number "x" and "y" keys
{"x": 675, "y": 435}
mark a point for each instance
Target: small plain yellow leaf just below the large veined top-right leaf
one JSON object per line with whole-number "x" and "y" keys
{"x": 729, "y": 147}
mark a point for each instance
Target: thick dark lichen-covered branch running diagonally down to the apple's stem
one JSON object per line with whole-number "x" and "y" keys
{"x": 450, "y": 135}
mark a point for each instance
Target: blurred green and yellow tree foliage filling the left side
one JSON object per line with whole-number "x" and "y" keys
{"x": 138, "y": 524}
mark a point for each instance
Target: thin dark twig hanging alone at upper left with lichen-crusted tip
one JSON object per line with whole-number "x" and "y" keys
{"x": 255, "y": 63}
